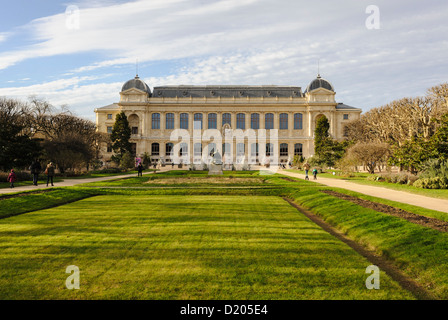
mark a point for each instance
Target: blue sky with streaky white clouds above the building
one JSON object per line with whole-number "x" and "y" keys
{"x": 43, "y": 52}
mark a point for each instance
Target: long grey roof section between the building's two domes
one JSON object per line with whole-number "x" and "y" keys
{"x": 186, "y": 91}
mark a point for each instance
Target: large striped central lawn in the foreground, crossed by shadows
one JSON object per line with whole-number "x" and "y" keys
{"x": 180, "y": 247}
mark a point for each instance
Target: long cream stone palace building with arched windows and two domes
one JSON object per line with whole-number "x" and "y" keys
{"x": 154, "y": 115}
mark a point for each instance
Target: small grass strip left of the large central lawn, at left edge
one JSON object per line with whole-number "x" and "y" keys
{"x": 32, "y": 201}
